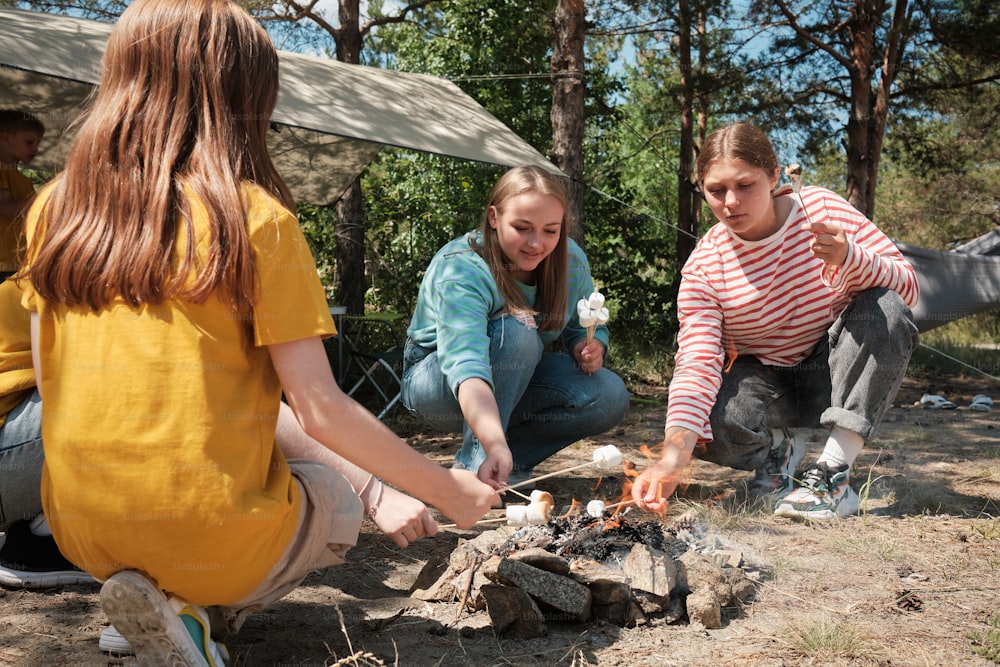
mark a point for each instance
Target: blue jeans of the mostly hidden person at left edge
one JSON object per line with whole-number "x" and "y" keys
{"x": 21, "y": 459}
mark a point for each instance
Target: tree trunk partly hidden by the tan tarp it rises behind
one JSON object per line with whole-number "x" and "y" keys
{"x": 350, "y": 228}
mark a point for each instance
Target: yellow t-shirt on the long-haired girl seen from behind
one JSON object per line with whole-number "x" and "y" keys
{"x": 159, "y": 423}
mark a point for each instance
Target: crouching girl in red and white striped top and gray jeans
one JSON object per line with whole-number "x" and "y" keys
{"x": 794, "y": 311}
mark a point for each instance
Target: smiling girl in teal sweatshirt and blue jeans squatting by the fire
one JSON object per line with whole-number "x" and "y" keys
{"x": 478, "y": 357}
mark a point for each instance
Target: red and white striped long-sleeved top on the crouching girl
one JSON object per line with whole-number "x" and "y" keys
{"x": 771, "y": 298}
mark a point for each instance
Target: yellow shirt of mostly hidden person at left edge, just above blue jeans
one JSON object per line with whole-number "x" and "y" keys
{"x": 17, "y": 377}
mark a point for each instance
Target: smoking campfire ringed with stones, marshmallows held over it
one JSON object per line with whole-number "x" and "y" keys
{"x": 608, "y": 562}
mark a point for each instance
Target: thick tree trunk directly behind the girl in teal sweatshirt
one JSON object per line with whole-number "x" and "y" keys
{"x": 568, "y": 89}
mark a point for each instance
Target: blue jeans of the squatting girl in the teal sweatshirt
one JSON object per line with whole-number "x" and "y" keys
{"x": 545, "y": 401}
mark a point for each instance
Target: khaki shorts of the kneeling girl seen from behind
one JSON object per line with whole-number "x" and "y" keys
{"x": 329, "y": 523}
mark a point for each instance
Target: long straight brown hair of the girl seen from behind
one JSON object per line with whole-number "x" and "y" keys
{"x": 183, "y": 108}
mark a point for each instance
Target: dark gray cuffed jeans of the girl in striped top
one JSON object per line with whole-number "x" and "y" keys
{"x": 849, "y": 380}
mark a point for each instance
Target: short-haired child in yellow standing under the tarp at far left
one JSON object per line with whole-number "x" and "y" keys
{"x": 20, "y": 134}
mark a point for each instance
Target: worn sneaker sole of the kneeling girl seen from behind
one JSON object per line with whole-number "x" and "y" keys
{"x": 142, "y": 615}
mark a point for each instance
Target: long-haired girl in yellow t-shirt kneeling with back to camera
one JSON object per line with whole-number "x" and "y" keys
{"x": 174, "y": 299}
